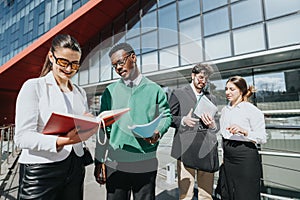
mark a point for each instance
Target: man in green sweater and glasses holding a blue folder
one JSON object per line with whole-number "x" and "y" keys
{"x": 130, "y": 161}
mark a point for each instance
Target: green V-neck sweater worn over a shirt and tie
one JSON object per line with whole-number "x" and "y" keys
{"x": 146, "y": 101}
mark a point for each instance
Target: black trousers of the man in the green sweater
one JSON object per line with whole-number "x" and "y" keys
{"x": 121, "y": 183}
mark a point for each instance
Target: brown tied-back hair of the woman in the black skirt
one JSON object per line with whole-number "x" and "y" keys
{"x": 241, "y": 83}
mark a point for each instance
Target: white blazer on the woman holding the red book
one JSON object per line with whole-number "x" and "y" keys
{"x": 37, "y": 99}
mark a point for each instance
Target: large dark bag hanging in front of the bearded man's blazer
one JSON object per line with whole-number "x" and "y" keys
{"x": 201, "y": 150}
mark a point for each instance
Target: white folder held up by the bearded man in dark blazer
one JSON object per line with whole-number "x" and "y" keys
{"x": 205, "y": 106}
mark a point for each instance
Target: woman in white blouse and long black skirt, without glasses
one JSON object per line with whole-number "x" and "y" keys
{"x": 242, "y": 126}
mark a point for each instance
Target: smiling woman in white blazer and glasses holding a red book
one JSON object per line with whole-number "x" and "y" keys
{"x": 51, "y": 166}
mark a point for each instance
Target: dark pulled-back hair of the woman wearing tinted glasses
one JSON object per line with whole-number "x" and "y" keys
{"x": 60, "y": 41}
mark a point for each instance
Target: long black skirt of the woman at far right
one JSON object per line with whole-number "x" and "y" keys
{"x": 242, "y": 170}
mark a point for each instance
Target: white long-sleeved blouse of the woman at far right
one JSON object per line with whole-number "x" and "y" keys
{"x": 248, "y": 117}
